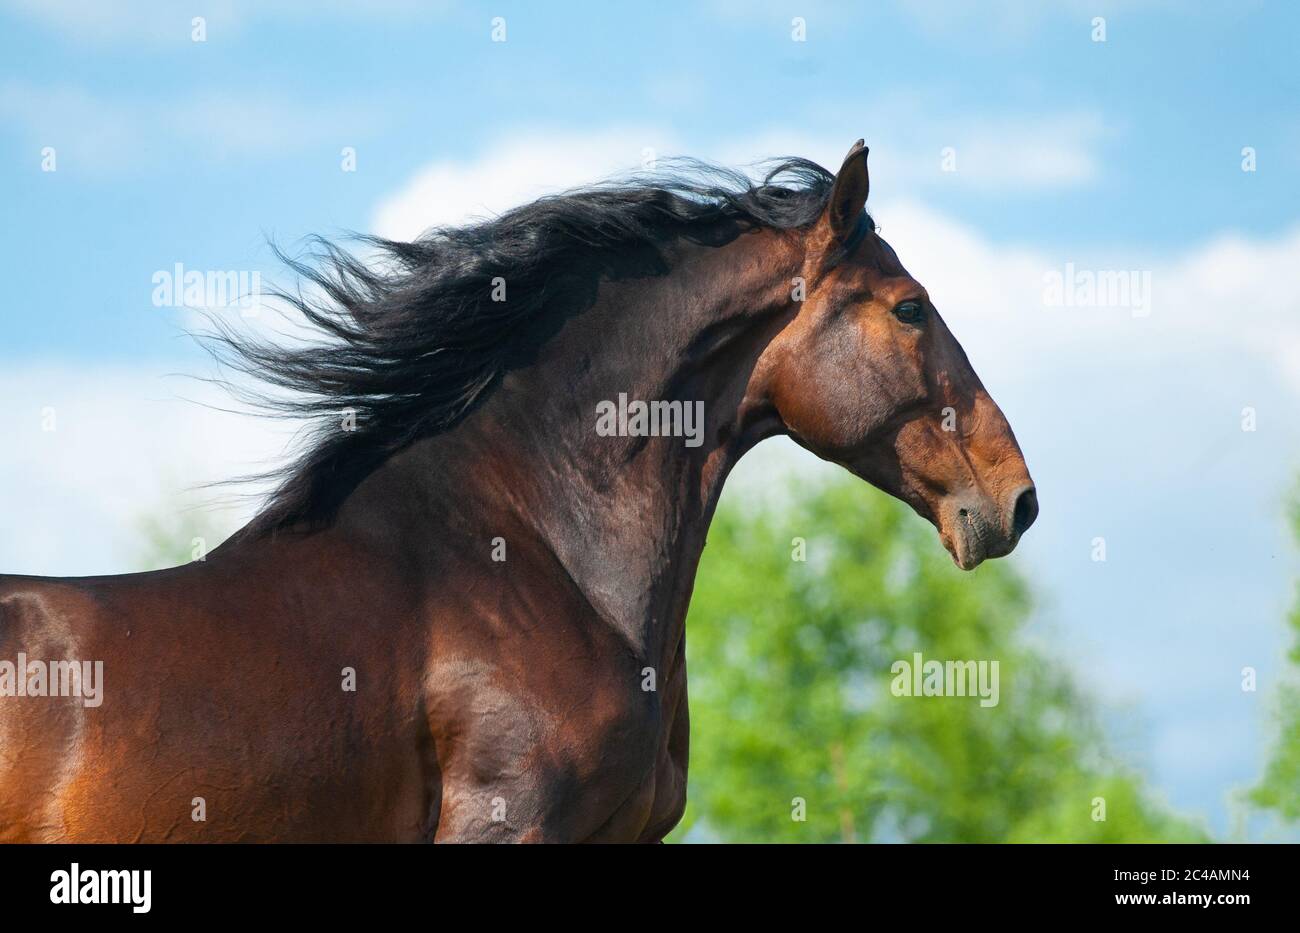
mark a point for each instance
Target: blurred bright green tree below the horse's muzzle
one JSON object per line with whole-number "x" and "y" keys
{"x": 791, "y": 693}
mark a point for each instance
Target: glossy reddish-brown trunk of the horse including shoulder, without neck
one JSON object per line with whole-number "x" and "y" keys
{"x": 224, "y": 683}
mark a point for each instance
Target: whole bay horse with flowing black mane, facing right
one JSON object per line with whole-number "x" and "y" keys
{"x": 461, "y": 617}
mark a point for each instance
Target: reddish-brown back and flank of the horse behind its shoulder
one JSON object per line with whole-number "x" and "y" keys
{"x": 214, "y": 692}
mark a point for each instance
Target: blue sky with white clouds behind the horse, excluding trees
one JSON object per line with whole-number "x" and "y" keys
{"x": 1013, "y": 146}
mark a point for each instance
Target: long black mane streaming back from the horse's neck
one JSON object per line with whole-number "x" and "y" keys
{"x": 414, "y": 341}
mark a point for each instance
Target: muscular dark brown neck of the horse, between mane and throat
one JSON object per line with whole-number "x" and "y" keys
{"x": 627, "y": 517}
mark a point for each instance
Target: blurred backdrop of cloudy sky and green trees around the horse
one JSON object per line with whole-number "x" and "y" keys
{"x": 1102, "y": 199}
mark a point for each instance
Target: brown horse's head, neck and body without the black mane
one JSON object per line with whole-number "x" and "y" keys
{"x": 509, "y": 594}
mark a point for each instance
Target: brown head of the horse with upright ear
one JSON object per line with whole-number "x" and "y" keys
{"x": 869, "y": 376}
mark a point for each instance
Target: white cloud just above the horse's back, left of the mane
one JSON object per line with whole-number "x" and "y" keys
{"x": 127, "y": 444}
